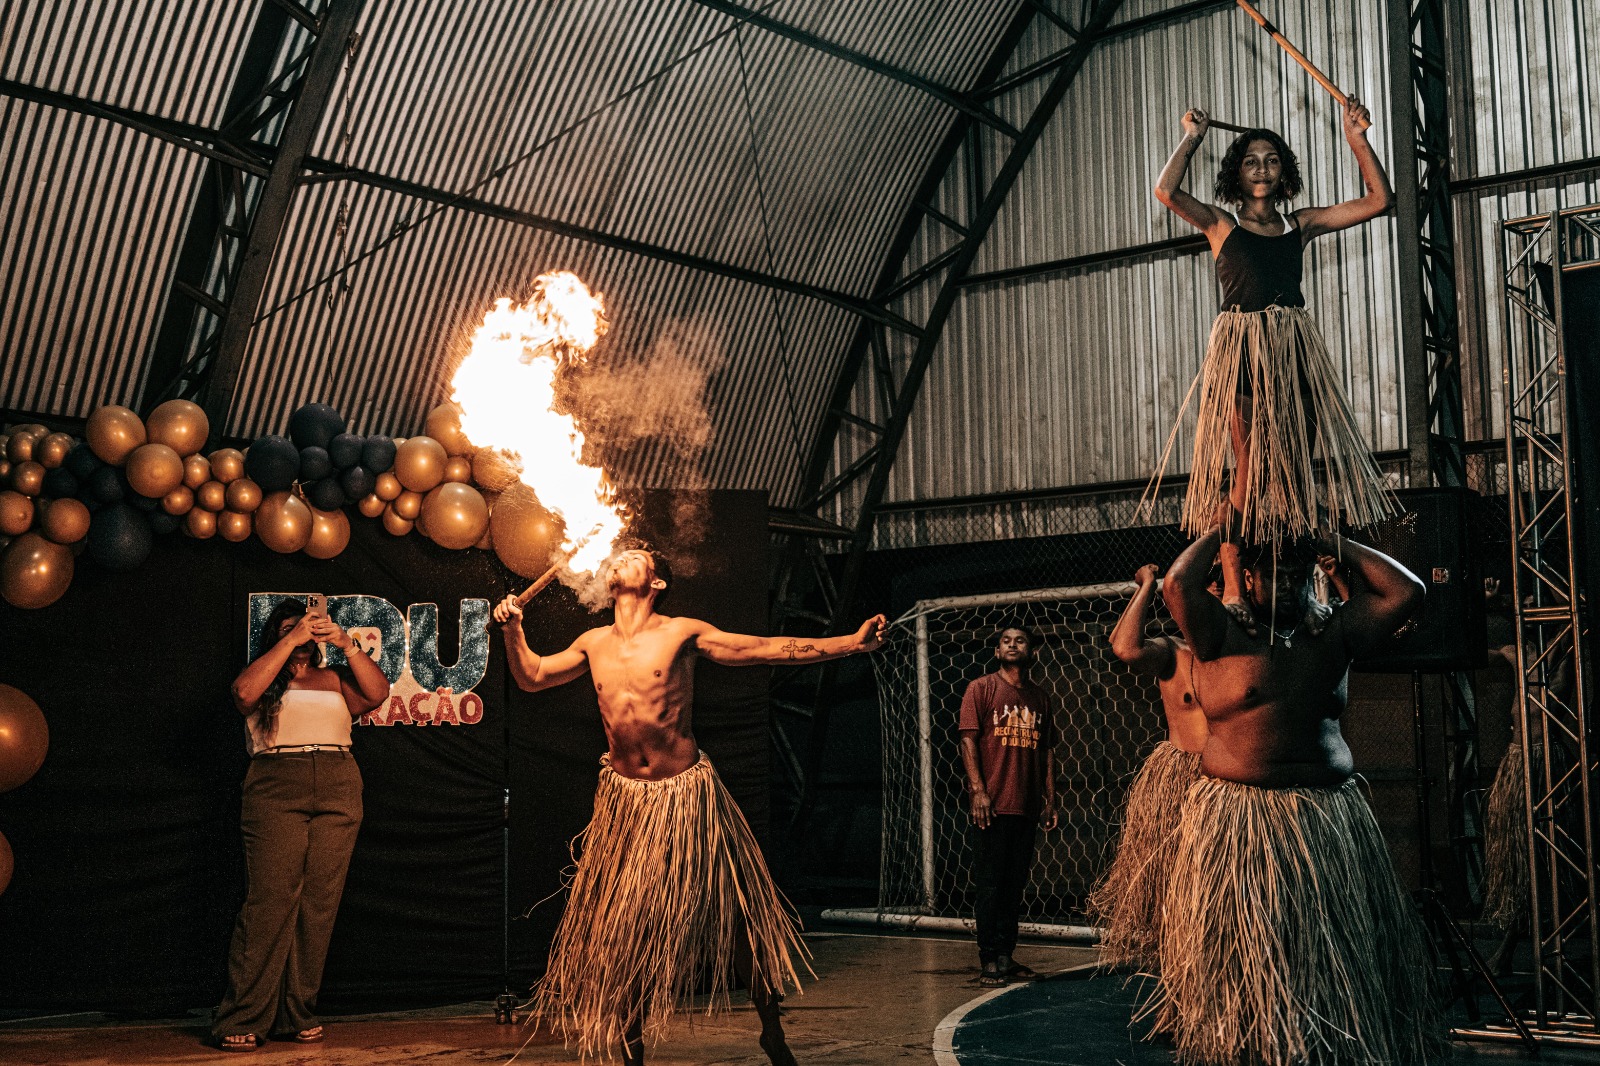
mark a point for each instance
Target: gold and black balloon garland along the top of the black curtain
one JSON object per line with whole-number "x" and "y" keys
{"x": 134, "y": 479}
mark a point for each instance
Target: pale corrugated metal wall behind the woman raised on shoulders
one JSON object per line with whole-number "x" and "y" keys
{"x": 1076, "y": 379}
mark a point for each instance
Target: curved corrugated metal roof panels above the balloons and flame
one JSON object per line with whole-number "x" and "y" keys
{"x": 626, "y": 116}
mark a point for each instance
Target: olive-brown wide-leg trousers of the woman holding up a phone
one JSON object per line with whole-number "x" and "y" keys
{"x": 302, "y": 814}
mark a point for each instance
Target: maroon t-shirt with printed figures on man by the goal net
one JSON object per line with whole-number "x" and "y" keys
{"x": 1015, "y": 731}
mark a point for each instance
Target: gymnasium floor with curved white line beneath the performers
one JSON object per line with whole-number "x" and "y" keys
{"x": 879, "y": 1000}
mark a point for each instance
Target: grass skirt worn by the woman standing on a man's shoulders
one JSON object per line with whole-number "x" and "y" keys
{"x": 1298, "y": 417}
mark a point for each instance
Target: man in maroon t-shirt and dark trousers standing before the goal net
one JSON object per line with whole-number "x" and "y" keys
{"x": 1009, "y": 745}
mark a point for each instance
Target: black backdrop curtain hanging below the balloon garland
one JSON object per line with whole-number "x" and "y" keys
{"x": 129, "y": 862}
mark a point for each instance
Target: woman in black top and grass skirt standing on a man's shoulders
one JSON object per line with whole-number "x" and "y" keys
{"x": 1271, "y": 398}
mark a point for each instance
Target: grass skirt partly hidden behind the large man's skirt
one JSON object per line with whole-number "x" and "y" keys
{"x": 1127, "y": 905}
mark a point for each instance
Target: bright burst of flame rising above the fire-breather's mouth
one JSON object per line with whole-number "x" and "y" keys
{"x": 506, "y": 391}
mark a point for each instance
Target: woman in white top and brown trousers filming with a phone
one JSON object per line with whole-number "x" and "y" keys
{"x": 302, "y": 812}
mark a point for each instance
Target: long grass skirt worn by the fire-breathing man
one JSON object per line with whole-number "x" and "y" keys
{"x": 670, "y": 881}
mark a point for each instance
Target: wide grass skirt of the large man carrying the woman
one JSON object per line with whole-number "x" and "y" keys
{"x": 1287, "y": 939}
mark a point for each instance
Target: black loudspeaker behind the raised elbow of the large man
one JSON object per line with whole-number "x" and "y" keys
{"x": 1433, "y": 540}
